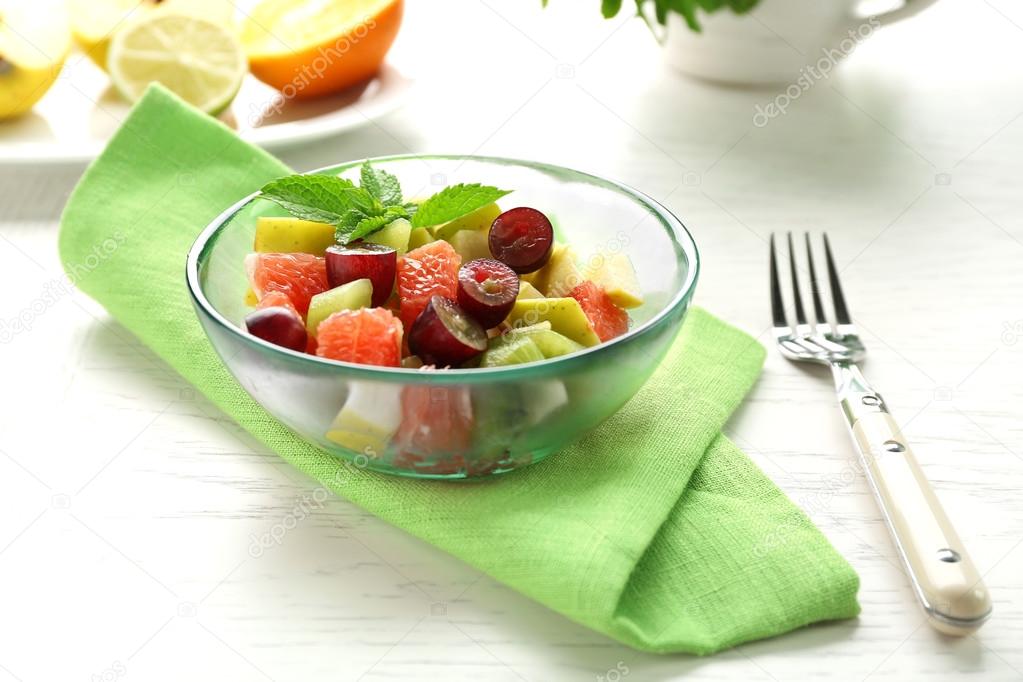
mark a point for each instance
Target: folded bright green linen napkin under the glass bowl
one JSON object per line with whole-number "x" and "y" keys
{"x": 654, "y": 529}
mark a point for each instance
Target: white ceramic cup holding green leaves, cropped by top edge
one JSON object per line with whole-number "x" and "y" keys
{"x": 776, "y": 42}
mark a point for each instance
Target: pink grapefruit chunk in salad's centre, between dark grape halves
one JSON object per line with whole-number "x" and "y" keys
{"x": 425, "y": 272}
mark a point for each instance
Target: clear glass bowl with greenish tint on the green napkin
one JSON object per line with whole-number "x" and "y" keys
{"x": 459, "y": 424}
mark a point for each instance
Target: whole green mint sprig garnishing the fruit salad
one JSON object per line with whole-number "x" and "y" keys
{"x": 359, "y": 211}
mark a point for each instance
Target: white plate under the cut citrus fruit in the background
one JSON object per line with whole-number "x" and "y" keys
{"x": 74, "y": 121}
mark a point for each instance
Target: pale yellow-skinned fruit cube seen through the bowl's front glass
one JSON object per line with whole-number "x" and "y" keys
{"x": 369, "y": 420}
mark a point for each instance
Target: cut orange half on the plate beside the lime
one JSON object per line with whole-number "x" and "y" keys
{"x": 307, "y": 49}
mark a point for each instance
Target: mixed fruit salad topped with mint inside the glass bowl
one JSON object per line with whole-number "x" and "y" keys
{"x": 359, "y": 274}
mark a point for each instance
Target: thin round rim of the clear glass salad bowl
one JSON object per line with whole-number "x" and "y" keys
{"x": 673, "y": 225}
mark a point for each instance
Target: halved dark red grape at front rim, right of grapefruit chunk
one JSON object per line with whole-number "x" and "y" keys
{"x": 443, "y": 335}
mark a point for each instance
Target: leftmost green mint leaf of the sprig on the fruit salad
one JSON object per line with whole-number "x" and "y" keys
{"x": 324, "y": 199}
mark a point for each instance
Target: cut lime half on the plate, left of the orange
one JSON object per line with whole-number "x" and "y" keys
{"x": 201, "y": 62}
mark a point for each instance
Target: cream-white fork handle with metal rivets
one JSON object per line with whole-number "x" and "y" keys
{"x": 945, "y": 578}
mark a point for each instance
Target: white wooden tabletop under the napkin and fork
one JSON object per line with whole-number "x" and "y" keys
{"x": 129, "y": 504}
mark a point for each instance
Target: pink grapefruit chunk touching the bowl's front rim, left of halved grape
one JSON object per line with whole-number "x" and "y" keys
{"x": 368, "y": 337}
